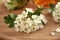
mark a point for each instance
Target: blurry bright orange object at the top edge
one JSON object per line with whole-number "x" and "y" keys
{"x": 45, "y": 3}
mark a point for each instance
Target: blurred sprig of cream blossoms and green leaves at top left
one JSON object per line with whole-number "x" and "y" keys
{"x": 14, "y": 4}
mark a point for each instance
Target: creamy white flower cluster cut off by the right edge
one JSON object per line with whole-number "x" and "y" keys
{"x": 56, "y": 12}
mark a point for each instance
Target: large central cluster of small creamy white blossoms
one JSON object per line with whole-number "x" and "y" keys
{"x": 29, "y": 24}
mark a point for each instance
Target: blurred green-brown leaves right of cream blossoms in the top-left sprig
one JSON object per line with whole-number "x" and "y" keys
{"x": 16, "y": 4}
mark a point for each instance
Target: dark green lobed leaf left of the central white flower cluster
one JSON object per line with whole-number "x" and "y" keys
{"x": 10, "y": 19}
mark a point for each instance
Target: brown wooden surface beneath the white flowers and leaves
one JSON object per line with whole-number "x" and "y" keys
{"x": 42, "y": 34}
